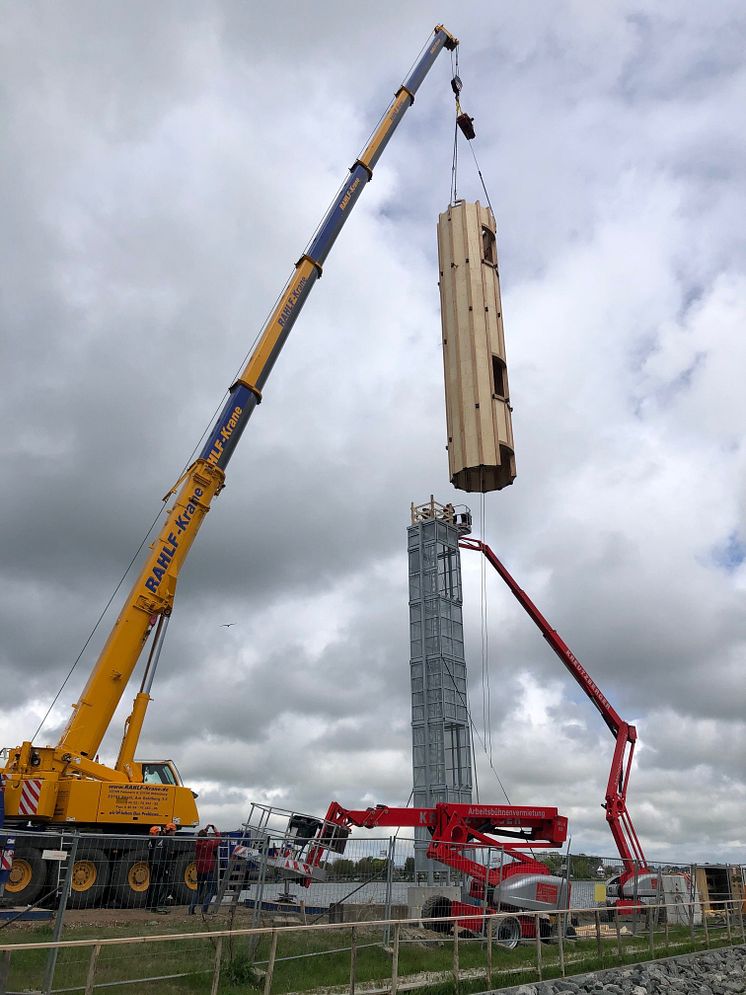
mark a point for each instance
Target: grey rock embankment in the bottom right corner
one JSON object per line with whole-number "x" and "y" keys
{"x": 713, "y": 972}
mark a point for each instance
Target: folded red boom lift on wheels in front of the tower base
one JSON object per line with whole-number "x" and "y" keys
{"x": 520, "y": 884}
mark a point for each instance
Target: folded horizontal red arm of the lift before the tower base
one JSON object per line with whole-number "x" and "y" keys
{"x": 454, "y": 828}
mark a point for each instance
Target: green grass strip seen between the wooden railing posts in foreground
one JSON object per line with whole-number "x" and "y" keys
{"x": 313, "y": 960}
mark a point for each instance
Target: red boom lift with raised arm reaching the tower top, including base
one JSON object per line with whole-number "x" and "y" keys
{"x": 637, "y": 881}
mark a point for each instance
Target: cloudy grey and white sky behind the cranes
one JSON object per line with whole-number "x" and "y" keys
{"x": 163, "y": 166}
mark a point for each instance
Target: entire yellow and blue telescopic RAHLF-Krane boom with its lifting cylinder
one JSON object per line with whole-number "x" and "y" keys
{"x": 152, "y": 595}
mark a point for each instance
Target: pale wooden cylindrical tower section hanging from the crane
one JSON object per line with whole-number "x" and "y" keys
{"x": 478, "y": 411}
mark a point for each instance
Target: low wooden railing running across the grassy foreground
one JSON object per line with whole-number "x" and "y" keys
{"x": 384, "y": 954}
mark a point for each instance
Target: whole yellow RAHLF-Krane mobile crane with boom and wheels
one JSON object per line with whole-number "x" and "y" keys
{"x": 66, "y": 785}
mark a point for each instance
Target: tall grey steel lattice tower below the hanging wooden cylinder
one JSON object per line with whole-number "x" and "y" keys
{"x": 441, "y": 741}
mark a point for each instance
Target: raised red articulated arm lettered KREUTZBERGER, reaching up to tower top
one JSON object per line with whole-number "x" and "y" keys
{"x": 625, "y": 734}
